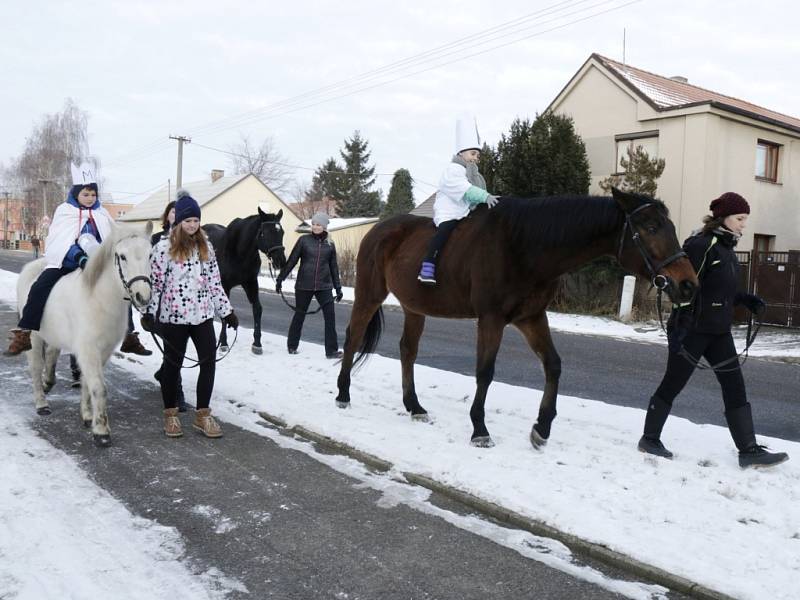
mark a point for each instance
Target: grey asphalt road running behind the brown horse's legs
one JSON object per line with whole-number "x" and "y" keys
{"x": 618, "y": 372}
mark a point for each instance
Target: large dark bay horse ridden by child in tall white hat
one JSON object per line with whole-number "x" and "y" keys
{"x": 502, "y": 266}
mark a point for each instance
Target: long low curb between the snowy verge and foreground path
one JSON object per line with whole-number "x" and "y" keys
{"x": 504, "y": 515}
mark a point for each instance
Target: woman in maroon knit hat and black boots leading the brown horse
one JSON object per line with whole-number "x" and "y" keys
{"x": 702, "y": 328}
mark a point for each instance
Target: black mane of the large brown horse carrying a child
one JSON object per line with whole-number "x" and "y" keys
{"x": 560, "y": 221}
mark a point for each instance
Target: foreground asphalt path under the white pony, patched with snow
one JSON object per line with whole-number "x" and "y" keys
{"x": 275, "y": 519}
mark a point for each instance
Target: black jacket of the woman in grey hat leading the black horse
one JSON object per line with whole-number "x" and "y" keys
{"x": 318, "y": 267}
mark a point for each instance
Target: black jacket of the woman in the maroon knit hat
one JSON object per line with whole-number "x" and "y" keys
{"x": 714, "y": 259}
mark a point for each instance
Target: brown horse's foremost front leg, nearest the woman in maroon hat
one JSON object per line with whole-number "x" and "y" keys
{"x": 537, "y": 333}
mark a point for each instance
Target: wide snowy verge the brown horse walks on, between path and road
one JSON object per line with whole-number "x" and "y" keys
{"x": 698, "y": 516}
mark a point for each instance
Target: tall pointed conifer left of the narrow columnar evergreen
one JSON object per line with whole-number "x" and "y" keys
{"x": 358, "y": 199}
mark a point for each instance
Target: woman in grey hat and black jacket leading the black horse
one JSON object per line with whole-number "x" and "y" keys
{"x": 317, "y": 277}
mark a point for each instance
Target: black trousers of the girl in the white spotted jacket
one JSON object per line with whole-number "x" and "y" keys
{"x": 175, "y": 339}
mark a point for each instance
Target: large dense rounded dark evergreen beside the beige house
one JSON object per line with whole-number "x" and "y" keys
{"x": 543, "y": 158}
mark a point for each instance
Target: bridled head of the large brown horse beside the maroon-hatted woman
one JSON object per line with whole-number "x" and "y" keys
{"x": 649, "y": 246}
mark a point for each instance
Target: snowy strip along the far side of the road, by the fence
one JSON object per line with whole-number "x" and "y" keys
{"x": 780, "y": 344}
